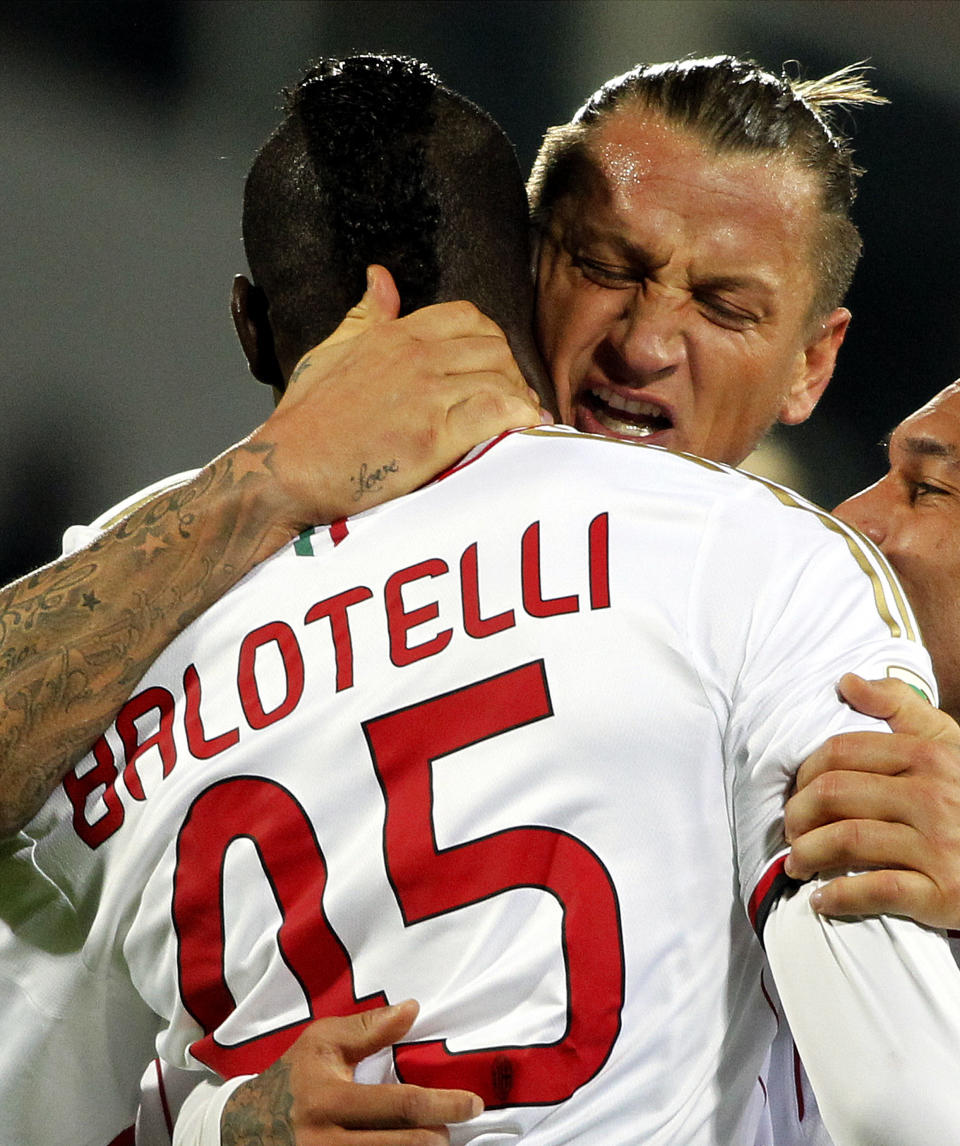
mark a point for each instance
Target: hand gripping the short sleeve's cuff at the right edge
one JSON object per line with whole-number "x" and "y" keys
{"x": 888, "y": 803}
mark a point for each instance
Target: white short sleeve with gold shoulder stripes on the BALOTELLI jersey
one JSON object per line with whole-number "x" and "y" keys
{"x": 784, "y": 607}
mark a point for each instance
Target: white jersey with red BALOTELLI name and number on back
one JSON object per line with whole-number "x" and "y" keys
{"x": 516, "y": 745}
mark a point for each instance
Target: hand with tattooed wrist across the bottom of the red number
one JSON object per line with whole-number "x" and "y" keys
{"x": 309, "y": 1096}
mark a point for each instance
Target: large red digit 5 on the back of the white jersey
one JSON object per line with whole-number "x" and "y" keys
{"x": 429, "y": 882}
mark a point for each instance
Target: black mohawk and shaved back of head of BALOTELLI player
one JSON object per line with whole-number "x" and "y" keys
{"x": 379, "y": 162}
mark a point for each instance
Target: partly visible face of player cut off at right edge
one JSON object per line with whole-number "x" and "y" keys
{"x": 914, "y": 514}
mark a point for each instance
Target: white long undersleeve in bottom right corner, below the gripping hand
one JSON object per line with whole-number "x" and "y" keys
{"x": 875, "y": 1007}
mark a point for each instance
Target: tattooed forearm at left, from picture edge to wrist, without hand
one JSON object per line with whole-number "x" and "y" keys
{"x": 77, "y": 635}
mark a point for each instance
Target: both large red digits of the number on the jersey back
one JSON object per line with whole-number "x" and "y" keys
{"x": 427, "y": 881}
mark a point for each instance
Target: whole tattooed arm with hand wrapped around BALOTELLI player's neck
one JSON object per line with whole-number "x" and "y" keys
{"x": 372, "y": 413}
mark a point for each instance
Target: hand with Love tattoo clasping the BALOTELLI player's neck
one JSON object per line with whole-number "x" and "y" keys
{"x": 385, "y": 404}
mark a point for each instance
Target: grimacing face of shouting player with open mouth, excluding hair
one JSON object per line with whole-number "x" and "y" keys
{"x": 674, "y": 301}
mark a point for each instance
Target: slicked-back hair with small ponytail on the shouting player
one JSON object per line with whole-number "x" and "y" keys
{"x": 737, "y": 108}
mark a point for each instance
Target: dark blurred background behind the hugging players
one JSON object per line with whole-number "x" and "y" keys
{"x": 127, "y": 130}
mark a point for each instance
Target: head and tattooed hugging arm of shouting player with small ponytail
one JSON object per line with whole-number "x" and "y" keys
{"x": 698, "y": 346}
